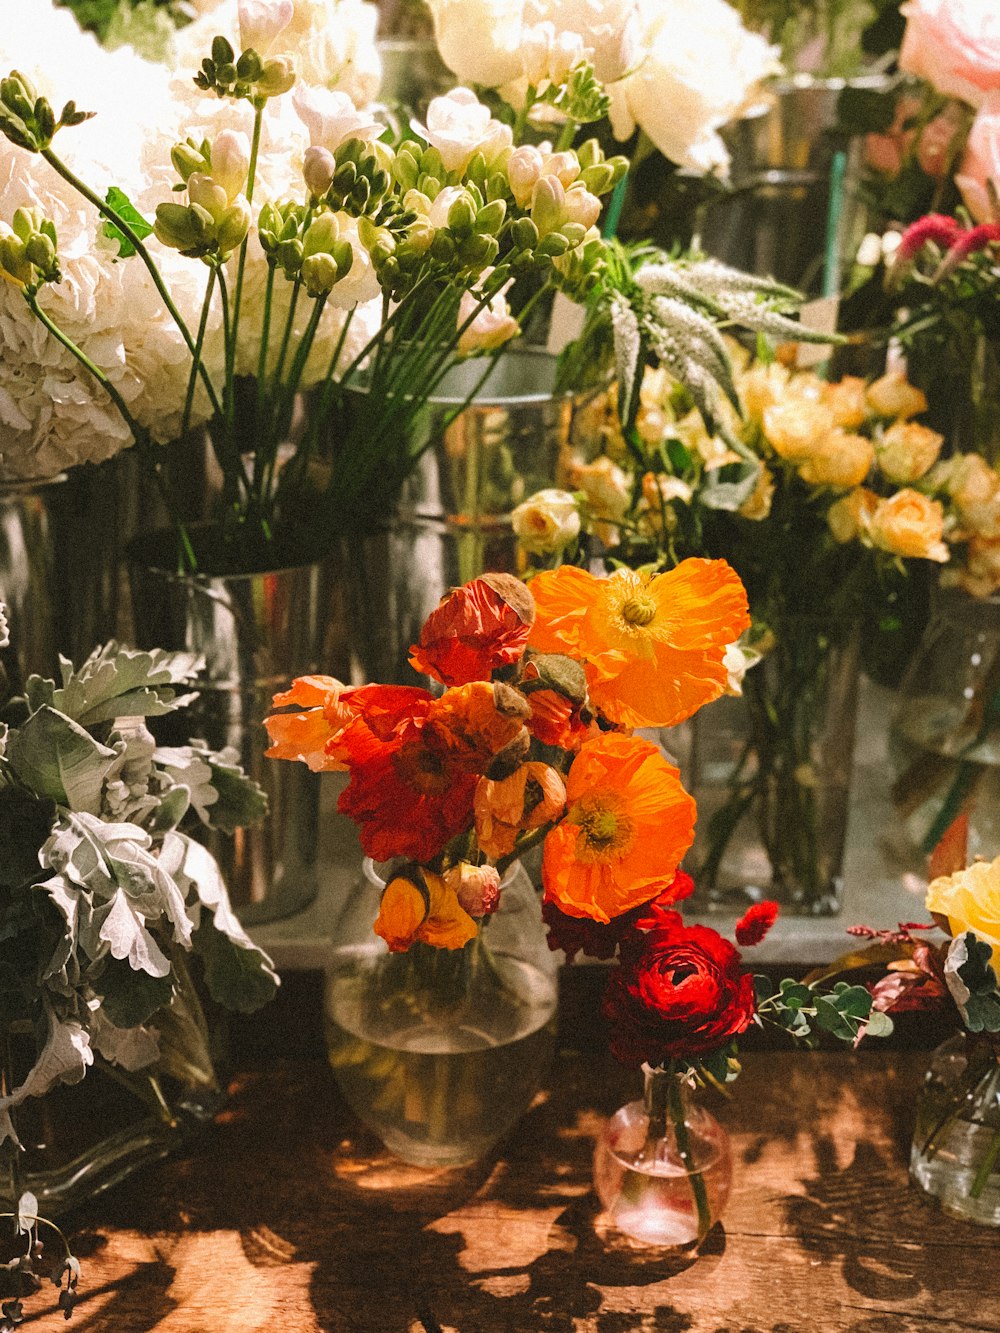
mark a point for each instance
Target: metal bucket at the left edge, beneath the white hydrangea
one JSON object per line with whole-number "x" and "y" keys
{"x": 62, "y": 541}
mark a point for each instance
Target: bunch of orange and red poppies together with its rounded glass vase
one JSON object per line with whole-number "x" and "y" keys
{"x": 439, "y": 1034}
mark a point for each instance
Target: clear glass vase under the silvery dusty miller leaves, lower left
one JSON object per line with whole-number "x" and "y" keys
{"x": 79, "y": 1140}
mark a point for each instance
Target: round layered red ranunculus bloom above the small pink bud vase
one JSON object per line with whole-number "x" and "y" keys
{"x": 679, "y": 994}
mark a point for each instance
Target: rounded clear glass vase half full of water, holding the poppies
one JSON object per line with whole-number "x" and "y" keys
{"x": 442, "y": 1051}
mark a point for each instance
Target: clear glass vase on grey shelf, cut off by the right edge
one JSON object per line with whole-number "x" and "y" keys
{"x": 945, "y": 740}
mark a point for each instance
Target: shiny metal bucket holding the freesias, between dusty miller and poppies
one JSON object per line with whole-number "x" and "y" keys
{"x": 257, "y": 633}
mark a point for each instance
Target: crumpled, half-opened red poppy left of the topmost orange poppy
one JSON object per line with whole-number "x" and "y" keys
{"x": 477, "y": 630}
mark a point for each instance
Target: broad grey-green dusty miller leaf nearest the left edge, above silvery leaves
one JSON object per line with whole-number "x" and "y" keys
{"x": 55, "y": 758}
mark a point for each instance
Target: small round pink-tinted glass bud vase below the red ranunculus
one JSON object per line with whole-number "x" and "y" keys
{"x": 663, "y": 1166}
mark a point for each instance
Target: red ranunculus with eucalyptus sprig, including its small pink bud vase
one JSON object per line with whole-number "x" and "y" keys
{"x": 678, "y": 1002}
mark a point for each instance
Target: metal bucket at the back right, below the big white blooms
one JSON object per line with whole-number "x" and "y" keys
{"x": 794, "y": 210}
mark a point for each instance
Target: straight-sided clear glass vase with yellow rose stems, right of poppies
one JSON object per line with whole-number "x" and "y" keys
{"x": 771, "y": 775}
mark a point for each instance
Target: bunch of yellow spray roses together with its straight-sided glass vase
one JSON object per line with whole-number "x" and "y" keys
{"x": 817, "y": 498}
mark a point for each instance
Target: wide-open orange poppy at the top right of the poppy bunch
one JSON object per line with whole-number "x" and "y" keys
{"x": 653, "y": 645}
